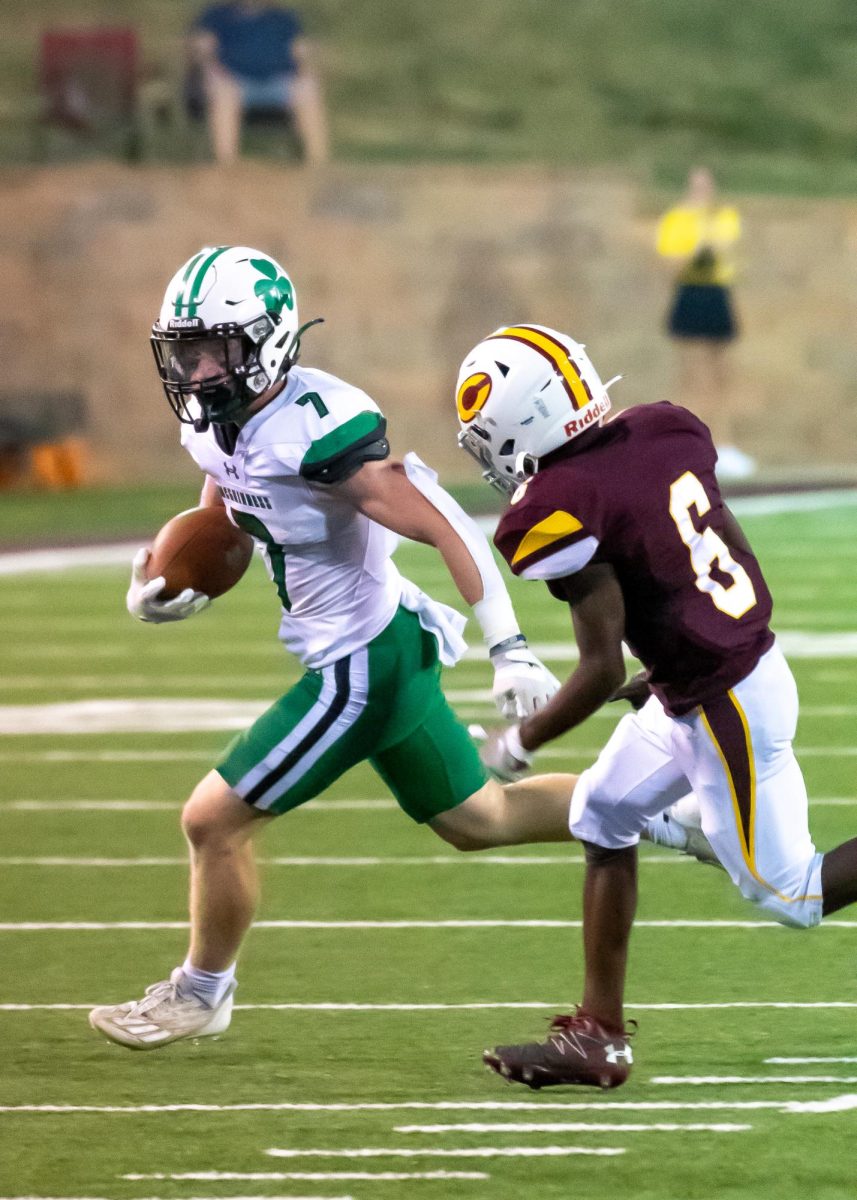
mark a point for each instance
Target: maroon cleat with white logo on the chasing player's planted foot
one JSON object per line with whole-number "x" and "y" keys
{"x": 578, "y": 1051}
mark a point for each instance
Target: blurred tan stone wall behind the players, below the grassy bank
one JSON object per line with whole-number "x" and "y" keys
{"x": 410, "y": 267}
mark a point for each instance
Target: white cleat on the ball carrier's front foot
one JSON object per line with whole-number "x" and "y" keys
{"x": 163, "y": 1016}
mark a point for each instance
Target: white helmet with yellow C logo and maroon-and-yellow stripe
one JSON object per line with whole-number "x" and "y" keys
{"x": 524, "y": 392}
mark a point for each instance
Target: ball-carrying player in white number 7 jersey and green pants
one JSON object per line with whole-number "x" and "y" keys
{"x": 302, "y": 463}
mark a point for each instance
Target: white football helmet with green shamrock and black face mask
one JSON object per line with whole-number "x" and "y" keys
{"x": 227, "y": 332}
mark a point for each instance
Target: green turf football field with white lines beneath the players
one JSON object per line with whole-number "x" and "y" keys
{"x": 356, "y": 1048}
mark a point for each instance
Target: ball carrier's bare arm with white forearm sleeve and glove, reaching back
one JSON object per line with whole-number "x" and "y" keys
{"x": 407, "y": 500}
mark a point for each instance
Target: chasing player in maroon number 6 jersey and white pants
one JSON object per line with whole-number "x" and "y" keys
{"x": 625, "y": 521}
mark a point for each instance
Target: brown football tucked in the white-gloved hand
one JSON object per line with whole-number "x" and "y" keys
{"x": 200, "y": 549}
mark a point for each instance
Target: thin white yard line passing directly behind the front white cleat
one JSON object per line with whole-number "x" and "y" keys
{"x": 488, "y": 1006}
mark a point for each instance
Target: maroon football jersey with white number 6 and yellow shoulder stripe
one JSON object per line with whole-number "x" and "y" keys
{"x": 642, "y": 495}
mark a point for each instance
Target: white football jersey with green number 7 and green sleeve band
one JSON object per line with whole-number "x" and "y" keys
{"x": 331, "y": 565}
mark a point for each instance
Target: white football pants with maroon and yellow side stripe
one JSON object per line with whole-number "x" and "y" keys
{"x": 736, "y": 757}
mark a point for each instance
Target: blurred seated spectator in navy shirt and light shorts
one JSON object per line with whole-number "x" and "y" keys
{"x": 254, "y": 57}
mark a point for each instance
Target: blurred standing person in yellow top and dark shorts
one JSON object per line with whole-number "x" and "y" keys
{"x": 700, "y": 236}
